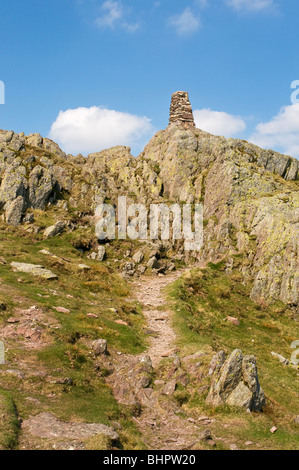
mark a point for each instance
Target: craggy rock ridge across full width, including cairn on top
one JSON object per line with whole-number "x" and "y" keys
{"x": 250, "y": 195}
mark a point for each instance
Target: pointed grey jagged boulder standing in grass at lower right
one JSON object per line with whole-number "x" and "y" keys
{"x": 236, "y": 383}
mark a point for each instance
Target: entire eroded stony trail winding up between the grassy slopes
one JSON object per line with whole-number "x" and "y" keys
{"x": 161, "y": 422}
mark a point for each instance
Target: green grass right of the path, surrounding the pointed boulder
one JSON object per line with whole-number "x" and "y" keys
{"x": 201, "y": 301}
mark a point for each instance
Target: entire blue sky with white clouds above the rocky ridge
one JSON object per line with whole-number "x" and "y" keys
{"x": 92, "y": 73}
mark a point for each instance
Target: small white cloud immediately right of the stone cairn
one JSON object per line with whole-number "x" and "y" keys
{"x": 219, "y": 122}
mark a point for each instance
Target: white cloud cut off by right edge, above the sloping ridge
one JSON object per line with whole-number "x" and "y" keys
{"x": 281, "y": 133}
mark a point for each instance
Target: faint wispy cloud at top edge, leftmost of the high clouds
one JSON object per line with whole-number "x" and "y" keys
{"x": 114, "y": 15}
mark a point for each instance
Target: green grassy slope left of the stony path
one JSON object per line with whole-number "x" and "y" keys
{"x": 68, "y": 354}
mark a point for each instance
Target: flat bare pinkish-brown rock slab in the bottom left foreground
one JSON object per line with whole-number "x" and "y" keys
{"x": 47, "y": 426}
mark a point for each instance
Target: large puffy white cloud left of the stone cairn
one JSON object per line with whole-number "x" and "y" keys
{"x": 87, "y": 130}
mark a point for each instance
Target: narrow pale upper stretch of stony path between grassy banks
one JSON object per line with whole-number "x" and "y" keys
{"x": 149, "y": 292}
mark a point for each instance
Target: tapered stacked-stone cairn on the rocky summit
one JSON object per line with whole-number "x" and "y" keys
{"x": 181, "y": 110}
